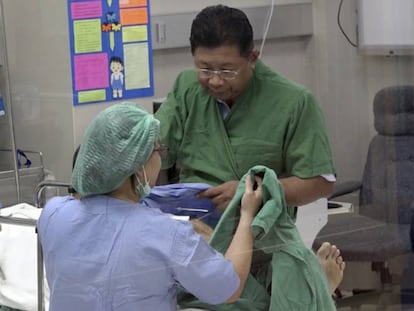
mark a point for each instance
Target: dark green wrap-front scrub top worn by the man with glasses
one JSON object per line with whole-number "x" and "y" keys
{"x": 276, "y": 123}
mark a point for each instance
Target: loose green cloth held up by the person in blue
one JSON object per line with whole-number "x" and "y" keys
{"x": 294, "y": 273}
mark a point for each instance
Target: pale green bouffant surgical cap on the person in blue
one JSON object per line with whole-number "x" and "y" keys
{"x": 119, "y": 140}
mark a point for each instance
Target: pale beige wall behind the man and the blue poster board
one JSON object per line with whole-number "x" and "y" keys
{"x": 344, "y": 81}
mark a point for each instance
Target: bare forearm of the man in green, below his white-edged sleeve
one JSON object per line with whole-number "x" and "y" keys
{"x": 303, "y": 191}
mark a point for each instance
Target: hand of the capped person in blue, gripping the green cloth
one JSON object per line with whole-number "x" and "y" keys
{"x": 252, "y": 198}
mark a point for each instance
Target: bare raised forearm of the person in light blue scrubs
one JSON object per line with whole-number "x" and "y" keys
{"x": 240, "y": 253}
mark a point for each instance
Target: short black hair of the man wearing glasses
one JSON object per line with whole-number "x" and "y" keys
{"x": 220, "y": 25}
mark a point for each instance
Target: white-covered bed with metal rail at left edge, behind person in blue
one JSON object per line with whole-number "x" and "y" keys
{"x": 23, "y": 284}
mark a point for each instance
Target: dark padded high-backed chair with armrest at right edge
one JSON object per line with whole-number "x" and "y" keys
{"x": 380, "y": 229}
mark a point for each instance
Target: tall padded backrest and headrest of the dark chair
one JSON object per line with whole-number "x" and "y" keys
{"x": 388, "y": 180}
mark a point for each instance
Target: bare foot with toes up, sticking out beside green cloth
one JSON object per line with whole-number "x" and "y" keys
{"x": 332, "y": 263}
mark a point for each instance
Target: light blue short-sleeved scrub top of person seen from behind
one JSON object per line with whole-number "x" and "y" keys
{"x": 104, "y": 254}
